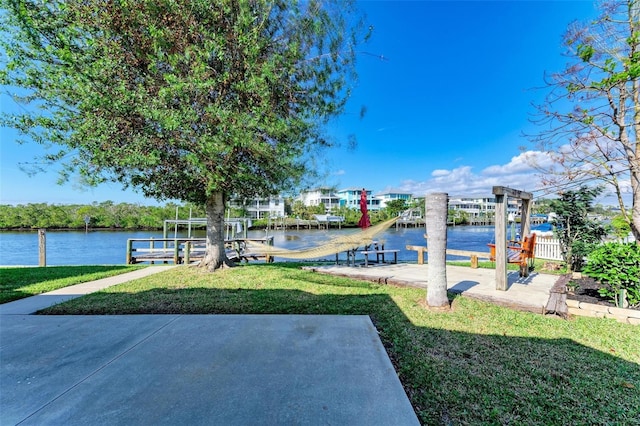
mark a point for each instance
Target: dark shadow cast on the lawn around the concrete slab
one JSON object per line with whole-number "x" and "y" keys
{"x": 451, "y": 377}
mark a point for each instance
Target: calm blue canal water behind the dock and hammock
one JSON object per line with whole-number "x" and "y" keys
{"x": 108, "y": 247}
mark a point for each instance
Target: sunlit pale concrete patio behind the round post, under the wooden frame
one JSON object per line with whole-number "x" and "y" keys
{"x": 528, "y": 294}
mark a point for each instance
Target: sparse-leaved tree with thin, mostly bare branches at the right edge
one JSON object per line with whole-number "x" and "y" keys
{"x": 591, "y": 117}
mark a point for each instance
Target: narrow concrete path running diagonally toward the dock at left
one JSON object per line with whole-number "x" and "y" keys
{"x": 33, "y": 304}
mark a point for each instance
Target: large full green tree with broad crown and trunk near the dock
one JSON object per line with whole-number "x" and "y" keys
{"x": 195, "y": 100}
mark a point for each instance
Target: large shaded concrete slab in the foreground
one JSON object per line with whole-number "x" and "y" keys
{"x": 198, "y": 369}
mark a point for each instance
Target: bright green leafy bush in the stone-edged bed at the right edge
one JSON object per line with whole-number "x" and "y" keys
{"x": 617, "y": 267}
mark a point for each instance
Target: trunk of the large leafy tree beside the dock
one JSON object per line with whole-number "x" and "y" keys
{"x": 215, "y": 256}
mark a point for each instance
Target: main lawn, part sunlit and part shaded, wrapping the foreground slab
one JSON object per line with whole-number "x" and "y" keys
{"x": 477, "y": 364}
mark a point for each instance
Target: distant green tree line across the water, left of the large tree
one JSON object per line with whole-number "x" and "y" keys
{"x": 107, "y": 215}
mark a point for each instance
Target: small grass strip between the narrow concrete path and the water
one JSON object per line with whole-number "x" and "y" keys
{"x": 18, "y": 283}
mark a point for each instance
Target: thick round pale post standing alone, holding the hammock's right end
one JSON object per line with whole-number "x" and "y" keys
{"x": 436, "y": 205}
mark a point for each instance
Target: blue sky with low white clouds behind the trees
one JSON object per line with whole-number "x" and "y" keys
{"x": 447, "y": 87}
